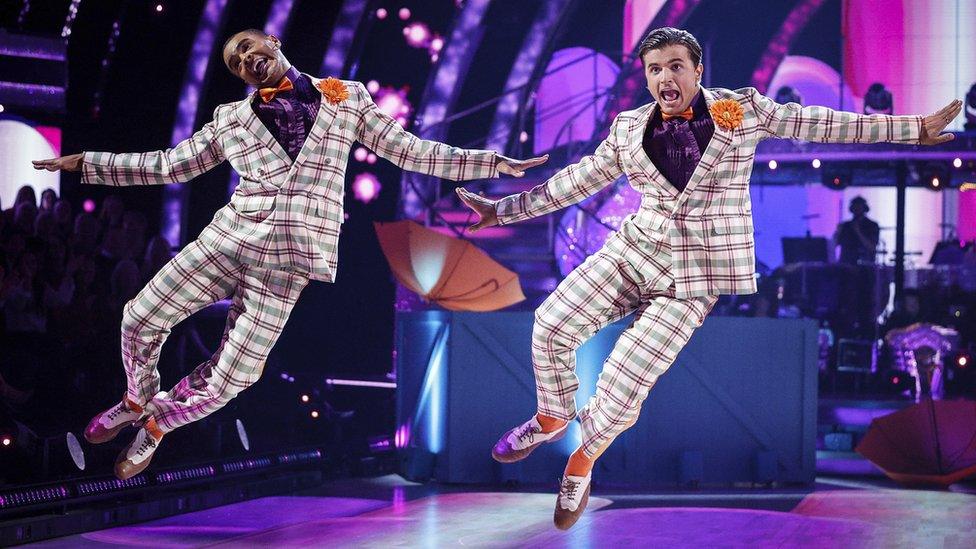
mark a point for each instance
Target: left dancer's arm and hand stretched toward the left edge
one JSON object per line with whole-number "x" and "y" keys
{"x": 186, "y": 160}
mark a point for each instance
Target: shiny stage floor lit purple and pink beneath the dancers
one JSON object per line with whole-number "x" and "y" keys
{"x": 389, "y": 512}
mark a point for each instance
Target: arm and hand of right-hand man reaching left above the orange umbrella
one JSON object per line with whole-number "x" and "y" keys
{"x": 569, "y": 186}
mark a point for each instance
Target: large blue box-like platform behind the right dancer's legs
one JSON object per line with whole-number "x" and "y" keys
{"x": 738, "y": 406}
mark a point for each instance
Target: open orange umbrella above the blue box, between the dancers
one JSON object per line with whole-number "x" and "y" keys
{"x": 448, "y": 271}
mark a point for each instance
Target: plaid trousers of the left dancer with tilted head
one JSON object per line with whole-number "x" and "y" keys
{"x": 199, "y": 276}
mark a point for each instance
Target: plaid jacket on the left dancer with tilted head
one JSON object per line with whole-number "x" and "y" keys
{"x": 284, "y": 214}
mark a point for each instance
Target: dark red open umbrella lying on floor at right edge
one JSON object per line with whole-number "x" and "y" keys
{"x": 932, "y": 442}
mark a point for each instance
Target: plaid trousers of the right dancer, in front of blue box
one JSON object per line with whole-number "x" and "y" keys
{"x": 630, "y": 274}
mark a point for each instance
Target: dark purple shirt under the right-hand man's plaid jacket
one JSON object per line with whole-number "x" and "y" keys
{"x": 675, "y": 146}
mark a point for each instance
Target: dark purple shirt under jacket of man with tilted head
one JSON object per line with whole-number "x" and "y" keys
{"x": 290, "y": 115}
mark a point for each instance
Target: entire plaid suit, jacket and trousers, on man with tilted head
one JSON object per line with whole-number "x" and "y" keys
{"x": 280, "y": 229}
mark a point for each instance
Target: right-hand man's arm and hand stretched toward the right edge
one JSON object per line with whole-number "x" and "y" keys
{"x": 814, "y": 123}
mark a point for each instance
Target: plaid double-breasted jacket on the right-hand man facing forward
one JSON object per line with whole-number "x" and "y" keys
{"x": 709, "y": 224}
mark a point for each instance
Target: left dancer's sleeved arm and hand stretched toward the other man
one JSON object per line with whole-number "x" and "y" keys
{"x": 381, "y": 133}
